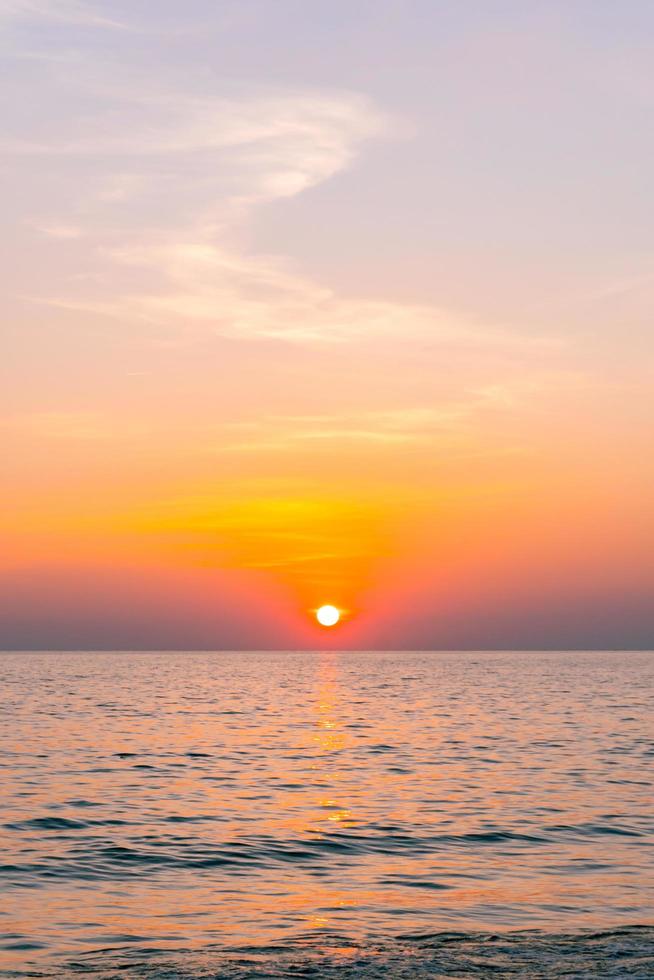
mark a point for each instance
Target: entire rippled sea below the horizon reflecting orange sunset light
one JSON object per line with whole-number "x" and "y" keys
{"x": 327, "y": 814}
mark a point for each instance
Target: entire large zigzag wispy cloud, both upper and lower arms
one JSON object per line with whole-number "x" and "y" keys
{"x": 161, "y": 180}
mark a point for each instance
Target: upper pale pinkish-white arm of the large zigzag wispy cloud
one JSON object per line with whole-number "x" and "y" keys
{"x": 243, "y": 148}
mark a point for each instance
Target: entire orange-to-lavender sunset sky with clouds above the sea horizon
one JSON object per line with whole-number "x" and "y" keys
{"x": 327, "y": 302}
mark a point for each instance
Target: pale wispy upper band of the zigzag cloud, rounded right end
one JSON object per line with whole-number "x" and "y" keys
{"x": 270, "y": 146}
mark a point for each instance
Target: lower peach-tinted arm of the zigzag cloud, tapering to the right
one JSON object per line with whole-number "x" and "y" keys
{"x": 206, "y": 288}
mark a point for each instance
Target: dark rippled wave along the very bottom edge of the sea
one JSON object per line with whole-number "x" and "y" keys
{"x": 625, "y": 952}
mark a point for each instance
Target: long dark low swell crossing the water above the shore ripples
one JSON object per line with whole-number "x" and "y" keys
{"x": 79, "y": 848}
